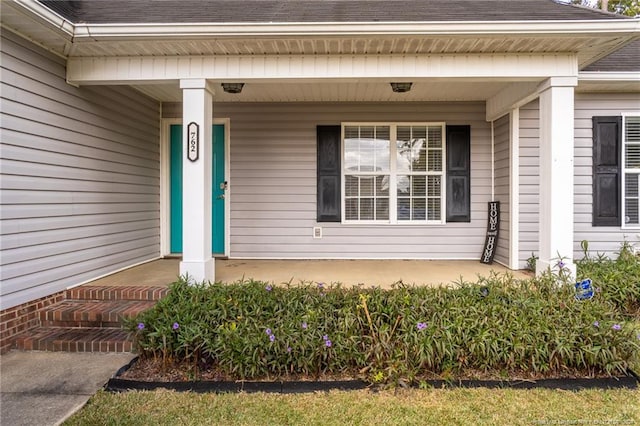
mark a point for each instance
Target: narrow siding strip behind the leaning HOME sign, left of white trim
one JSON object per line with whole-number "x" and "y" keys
{"x": 501, "y": 155}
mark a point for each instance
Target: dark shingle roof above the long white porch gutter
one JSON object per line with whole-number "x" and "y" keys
{"x": 283, "y": 11}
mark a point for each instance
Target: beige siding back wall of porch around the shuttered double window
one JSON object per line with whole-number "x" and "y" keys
{"x": 273, "y": 183}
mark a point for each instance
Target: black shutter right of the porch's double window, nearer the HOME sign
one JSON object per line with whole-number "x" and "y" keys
{"x": 458, "y": 174}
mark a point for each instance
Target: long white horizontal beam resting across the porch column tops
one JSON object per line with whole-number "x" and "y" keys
{"x": 138, "y": 70}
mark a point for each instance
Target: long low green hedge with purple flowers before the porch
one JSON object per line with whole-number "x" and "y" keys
{"x": 251, "y": 330}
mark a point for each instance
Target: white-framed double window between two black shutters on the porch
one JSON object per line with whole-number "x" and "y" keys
{"x": 393, "y": 173}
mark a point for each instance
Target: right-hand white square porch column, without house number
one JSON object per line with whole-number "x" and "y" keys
{"x": 556, "y": 175}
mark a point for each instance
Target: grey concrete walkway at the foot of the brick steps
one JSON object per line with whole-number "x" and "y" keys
{"x": 45, "y": 388}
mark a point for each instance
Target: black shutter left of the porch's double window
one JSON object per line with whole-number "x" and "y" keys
{"x": 329, "y": 207}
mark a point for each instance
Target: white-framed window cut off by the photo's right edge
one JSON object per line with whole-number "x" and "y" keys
{"x": 631, "y": 169}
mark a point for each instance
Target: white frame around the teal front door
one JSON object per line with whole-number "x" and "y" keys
{"x": 165, "y": 199}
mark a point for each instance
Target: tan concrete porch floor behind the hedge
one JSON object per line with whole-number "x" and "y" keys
{"x": 381, "y": 273}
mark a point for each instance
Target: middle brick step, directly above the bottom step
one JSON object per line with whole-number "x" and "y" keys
{"x": 92, "y": 313}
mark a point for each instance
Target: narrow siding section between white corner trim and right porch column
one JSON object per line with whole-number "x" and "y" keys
{"x": 529, "y": 181}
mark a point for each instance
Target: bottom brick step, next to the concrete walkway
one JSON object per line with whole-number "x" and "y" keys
{"x": 65, "y": 339}
